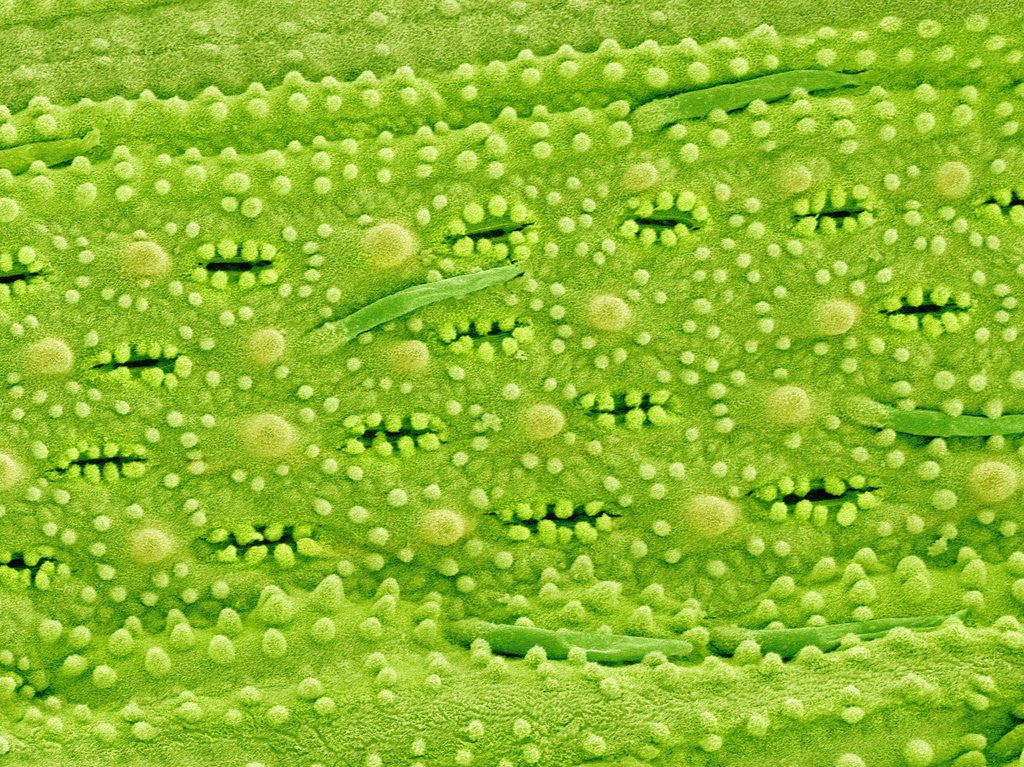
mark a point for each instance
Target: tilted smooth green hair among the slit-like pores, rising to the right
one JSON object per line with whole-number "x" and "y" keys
{"x": 333, "y": 335}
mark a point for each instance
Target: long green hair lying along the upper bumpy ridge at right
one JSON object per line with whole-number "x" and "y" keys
{"x": 731, "y": 97}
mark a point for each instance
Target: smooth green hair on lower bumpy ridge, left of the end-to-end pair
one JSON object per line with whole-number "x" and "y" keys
{"x": 508, "y": 640}
